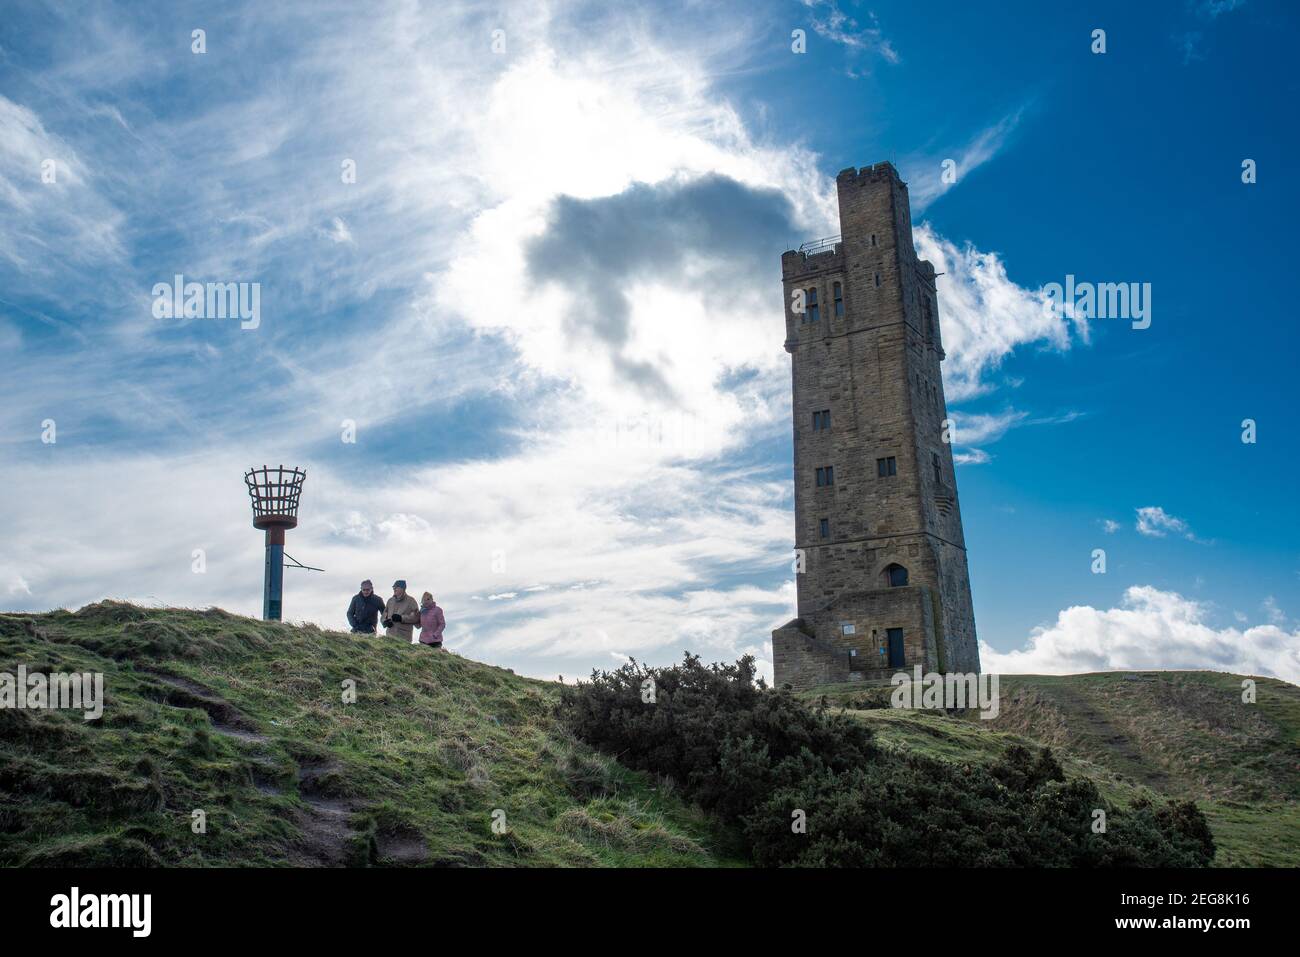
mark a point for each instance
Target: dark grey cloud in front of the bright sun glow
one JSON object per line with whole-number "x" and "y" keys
{"x": 600, "y": 248}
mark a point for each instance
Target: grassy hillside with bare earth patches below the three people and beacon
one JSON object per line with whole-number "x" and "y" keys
{"x": 246, "y": 721}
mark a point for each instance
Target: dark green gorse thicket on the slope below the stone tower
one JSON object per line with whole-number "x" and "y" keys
{"x": 759, "y": 757}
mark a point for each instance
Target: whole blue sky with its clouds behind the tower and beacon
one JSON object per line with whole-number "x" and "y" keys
{"x": 551, "y": 305}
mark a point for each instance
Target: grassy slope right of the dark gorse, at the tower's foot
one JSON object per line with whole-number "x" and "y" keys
{"x": 1175, "y": 734}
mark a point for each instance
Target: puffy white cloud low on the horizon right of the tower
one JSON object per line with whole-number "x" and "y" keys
{"x": 1154, "y": 630}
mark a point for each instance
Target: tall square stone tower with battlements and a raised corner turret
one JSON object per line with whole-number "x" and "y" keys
{"x": 878, "y": 532}
